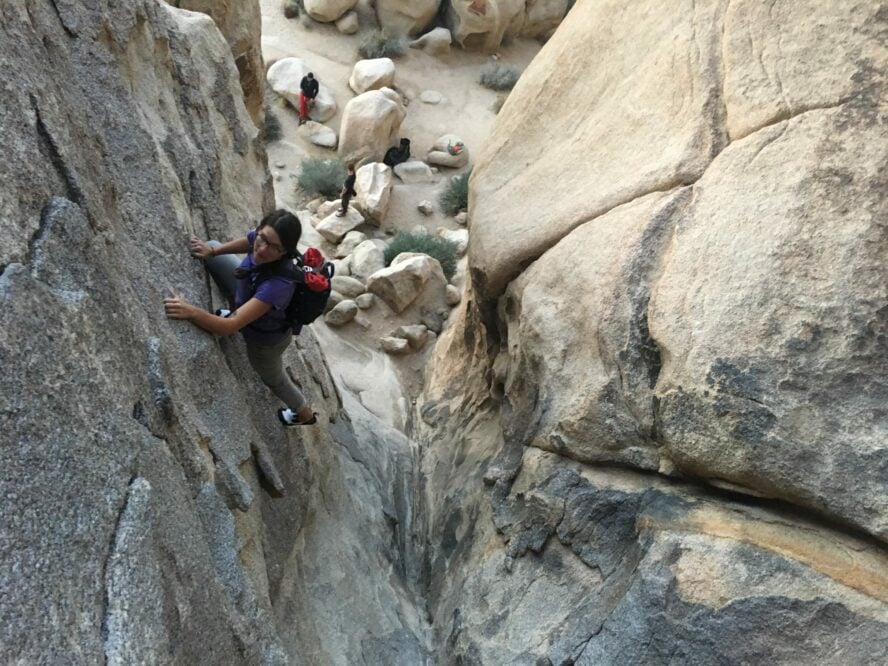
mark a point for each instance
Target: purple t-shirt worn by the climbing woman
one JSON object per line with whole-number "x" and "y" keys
{"x": 270, "y": 328}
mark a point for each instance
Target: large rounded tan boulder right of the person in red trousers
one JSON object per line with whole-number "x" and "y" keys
{"x": 371, "y": 123}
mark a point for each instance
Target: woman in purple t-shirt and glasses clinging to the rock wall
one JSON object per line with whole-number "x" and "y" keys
{"x": 261, "y": 297}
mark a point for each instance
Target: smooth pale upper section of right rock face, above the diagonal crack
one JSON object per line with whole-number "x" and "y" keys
{"x": 677, "y": 127}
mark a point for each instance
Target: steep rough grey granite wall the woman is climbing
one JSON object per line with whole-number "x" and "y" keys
{"x": 153, "y": 509}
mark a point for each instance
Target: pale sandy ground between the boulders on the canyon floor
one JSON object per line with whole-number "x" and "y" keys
{"x": 466, "y": 110}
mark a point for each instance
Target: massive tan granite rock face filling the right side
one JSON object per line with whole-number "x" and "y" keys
{"x": 654, "y": 432}
